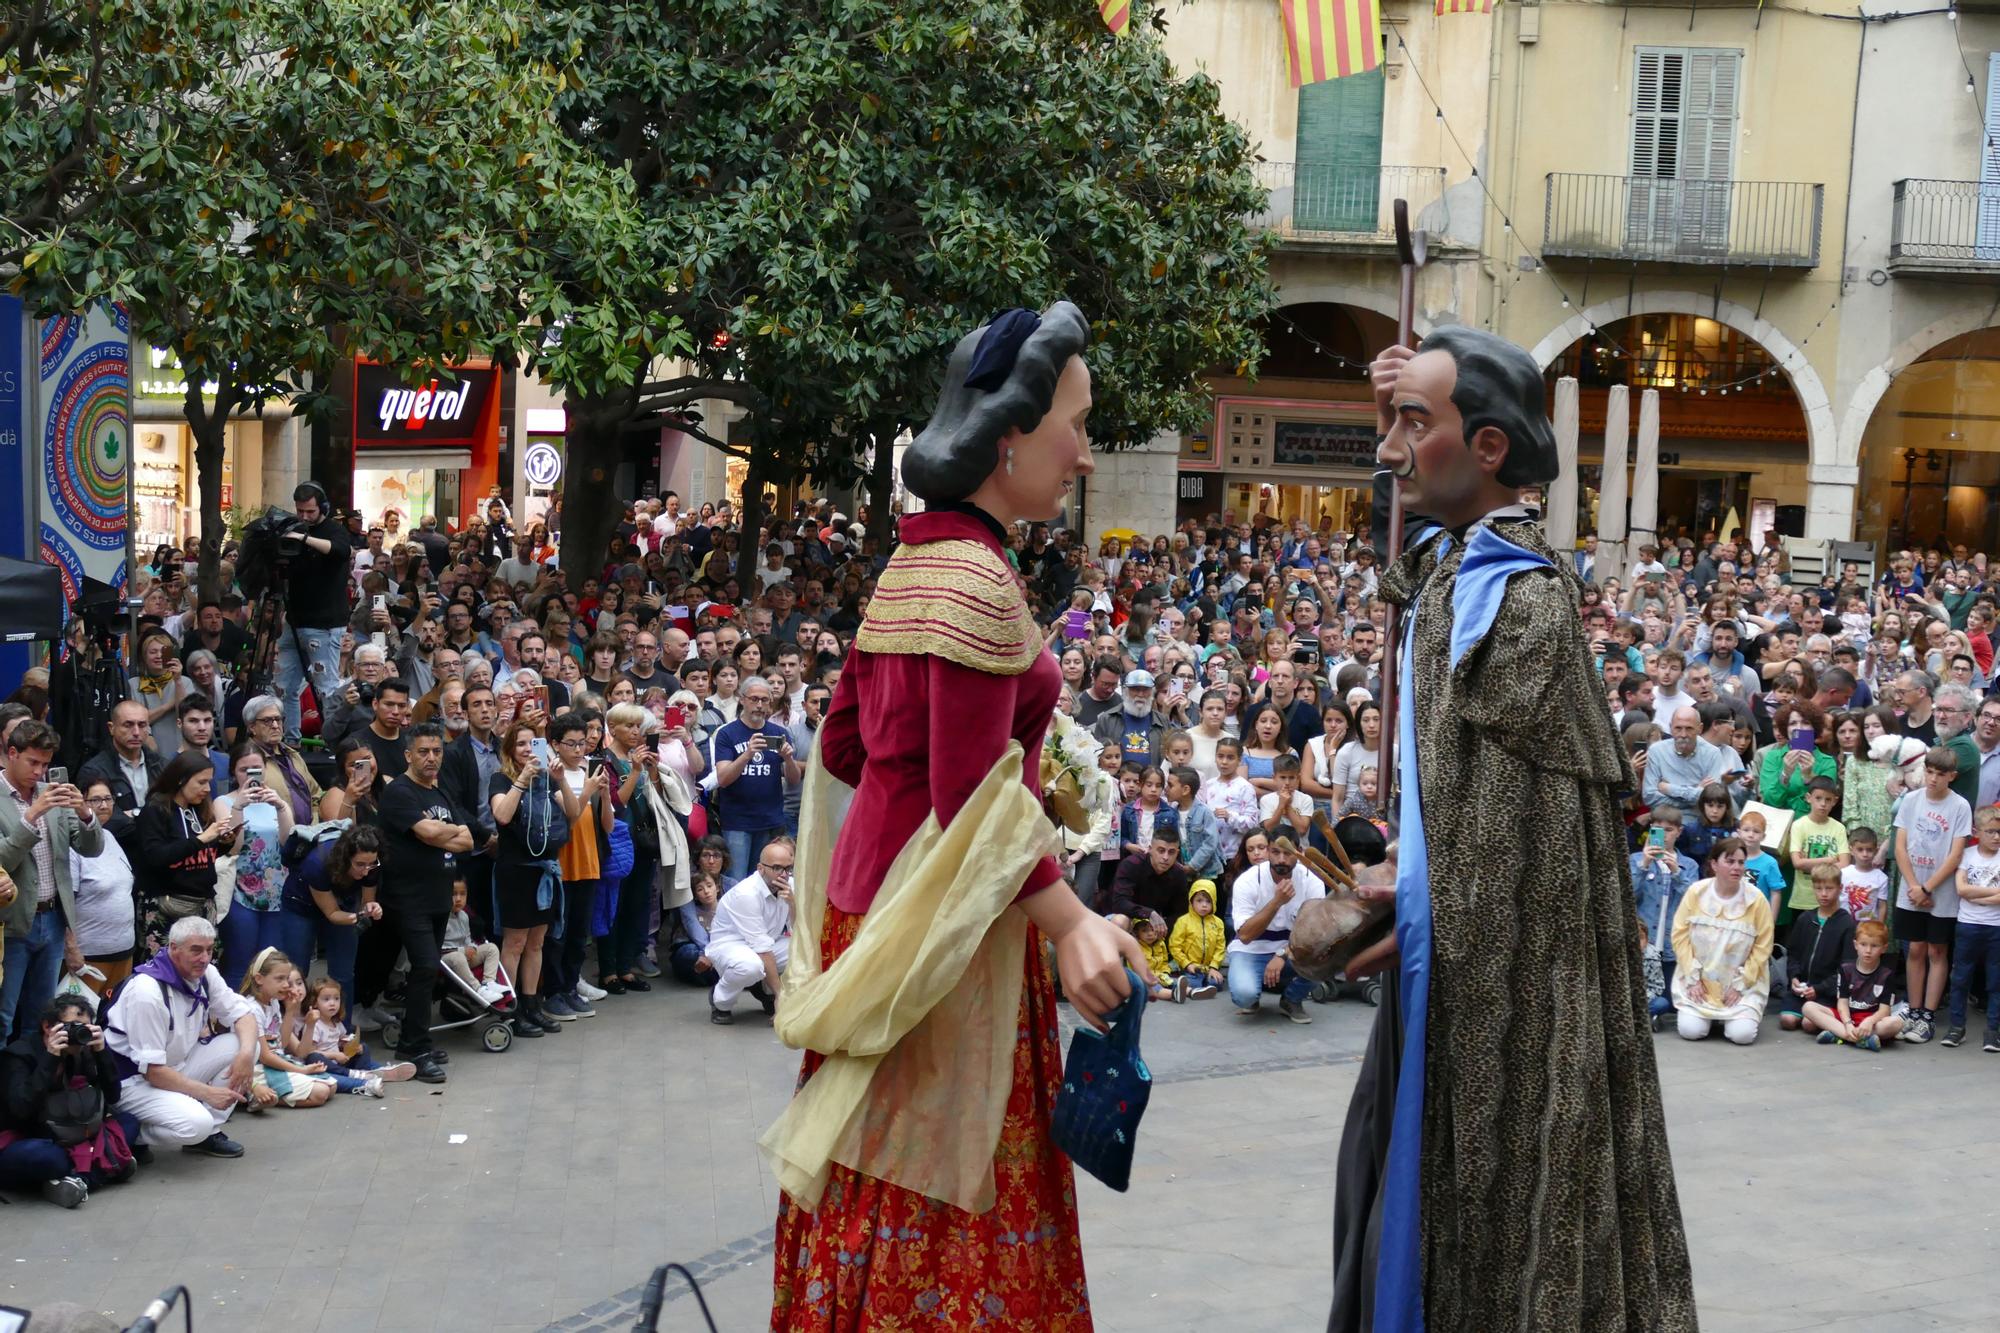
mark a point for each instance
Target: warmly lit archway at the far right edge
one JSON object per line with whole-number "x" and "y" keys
{"x": 1931, "y": 453}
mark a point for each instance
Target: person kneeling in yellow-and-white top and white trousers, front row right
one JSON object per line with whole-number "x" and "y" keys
{"x": 1723, "y": 952}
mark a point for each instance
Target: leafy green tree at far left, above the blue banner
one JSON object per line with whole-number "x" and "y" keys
{"x": 387, "y": 181}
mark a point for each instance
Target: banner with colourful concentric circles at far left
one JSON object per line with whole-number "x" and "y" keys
{"x": 83, "y": 419}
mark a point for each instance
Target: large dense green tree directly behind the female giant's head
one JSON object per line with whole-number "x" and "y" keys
{"x": 845, "y": 187}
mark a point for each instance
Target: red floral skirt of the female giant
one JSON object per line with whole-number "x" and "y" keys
{"x": 877, "y": 1258}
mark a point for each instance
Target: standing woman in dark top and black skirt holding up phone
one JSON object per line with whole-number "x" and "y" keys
{"x": 533, "y": 824}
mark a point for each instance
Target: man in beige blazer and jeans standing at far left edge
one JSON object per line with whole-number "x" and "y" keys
{"x": 41, "y": 826}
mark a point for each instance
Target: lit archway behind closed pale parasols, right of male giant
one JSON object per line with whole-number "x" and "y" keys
{"x": 1733, "y": 429}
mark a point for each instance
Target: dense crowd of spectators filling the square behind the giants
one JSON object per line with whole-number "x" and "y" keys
{"x": 459, "y": 764}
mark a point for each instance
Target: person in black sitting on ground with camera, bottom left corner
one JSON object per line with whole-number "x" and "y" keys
{"x": 59, "y": 1096}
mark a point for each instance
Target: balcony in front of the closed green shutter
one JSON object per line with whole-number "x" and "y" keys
{"x": 1345, "y": 207}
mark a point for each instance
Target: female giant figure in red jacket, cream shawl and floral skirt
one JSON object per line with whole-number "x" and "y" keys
{"x": 919, "y": 1176}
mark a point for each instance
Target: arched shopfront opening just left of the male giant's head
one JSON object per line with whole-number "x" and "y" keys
{"x": 1297, "y": 443}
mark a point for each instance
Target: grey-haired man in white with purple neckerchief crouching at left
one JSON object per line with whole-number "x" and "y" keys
{"x": 179, "y": 1082}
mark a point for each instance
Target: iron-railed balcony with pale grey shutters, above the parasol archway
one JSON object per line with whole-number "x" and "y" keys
{"x": 1649, "y": 221}
